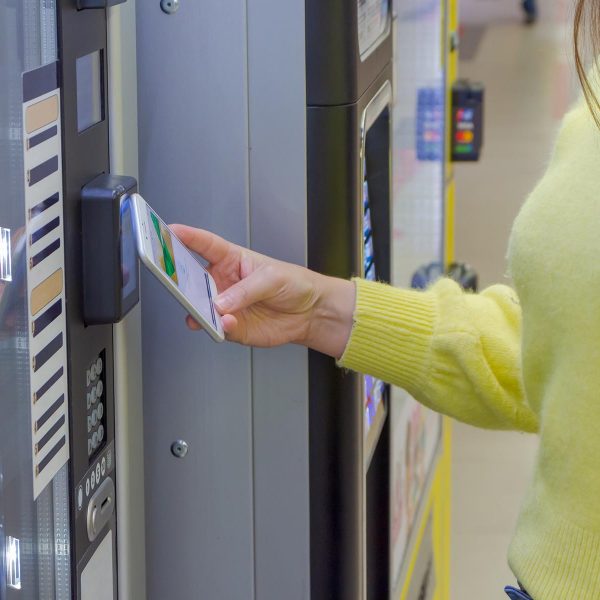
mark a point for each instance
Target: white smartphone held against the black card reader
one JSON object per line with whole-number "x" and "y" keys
{"x": 167, "y": 258}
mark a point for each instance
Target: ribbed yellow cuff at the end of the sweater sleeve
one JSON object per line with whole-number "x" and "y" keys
{"x": 392, "y": 332}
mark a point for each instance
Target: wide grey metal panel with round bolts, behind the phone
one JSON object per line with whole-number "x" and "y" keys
{"x": 193, "y": 153}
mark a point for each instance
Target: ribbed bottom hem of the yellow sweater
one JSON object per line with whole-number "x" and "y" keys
{"x": 554, "y": 558}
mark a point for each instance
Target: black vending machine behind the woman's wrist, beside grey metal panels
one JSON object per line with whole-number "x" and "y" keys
{"x": 349, "y": 159}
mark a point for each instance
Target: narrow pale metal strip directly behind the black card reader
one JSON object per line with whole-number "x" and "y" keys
{"x": 127, "y": 337}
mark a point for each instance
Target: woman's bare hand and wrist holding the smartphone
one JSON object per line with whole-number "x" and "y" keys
{"x": 265, "y": 302}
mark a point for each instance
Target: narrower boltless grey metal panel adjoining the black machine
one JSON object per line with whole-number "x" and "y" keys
{"x": 277, "y": 124}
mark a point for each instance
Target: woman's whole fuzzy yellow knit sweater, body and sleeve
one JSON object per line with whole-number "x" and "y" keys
{"x": 527, "y": 360}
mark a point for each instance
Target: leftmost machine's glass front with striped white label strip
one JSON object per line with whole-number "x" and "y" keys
{"x": 35, "y": 542}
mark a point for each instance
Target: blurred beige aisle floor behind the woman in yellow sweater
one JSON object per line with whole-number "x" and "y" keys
{"x": 529, "y": 85}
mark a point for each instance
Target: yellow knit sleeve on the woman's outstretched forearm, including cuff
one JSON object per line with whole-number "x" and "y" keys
{"x": 456, "y": 352}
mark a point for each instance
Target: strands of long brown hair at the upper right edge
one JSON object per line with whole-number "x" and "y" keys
{"x": 586, "y": 33}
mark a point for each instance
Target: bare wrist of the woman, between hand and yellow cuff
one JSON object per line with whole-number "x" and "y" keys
{"x": 331, "y": 320}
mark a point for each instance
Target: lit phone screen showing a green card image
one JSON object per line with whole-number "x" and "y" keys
{"x": 180, "y": 266}
